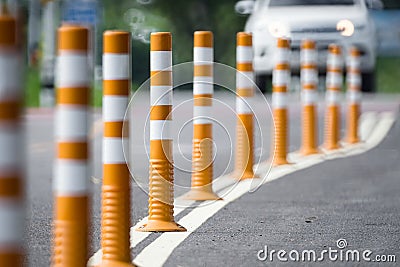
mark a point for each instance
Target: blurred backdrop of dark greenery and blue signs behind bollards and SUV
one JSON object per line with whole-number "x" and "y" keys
{"x": 182, "y": 18}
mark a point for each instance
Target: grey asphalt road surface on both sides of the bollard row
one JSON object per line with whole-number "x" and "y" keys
{"x": 353, "y": 198}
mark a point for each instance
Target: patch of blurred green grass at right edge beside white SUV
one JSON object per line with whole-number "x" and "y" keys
{"x": 388, "y": 74}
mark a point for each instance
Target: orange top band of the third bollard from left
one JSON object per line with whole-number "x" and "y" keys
{"x": 116, "y": 41}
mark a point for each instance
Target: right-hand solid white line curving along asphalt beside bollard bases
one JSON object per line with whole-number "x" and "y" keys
{"x": 164, "y": 245}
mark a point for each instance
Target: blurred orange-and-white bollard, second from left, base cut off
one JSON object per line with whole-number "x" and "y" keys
{"x": 70, "y": 183}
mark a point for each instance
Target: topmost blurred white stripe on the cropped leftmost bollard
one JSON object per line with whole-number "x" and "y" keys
{"x": 10, "y": 72}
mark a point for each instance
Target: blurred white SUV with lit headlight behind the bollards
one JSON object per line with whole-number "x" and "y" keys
{"x": 344, "y": 22}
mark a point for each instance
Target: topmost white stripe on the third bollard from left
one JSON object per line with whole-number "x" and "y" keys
{"x": 116, "y": 67}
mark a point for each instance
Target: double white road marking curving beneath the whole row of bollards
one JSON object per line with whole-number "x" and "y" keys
{"x": 373, "y": 129}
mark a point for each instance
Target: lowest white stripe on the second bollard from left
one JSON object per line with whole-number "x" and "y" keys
{"x": 70, "y": 177}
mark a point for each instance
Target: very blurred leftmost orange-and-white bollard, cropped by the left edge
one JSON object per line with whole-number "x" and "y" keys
{"x": 12, "y": 208}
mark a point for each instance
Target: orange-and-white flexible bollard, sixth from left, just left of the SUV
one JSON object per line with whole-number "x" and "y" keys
{"x": 244, "y": 159}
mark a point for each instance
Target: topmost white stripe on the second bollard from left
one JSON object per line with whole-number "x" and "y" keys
{"x": 72, "y": 70}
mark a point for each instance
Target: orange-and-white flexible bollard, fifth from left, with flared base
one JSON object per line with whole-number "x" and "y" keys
{"x": 202, "y": 161}
